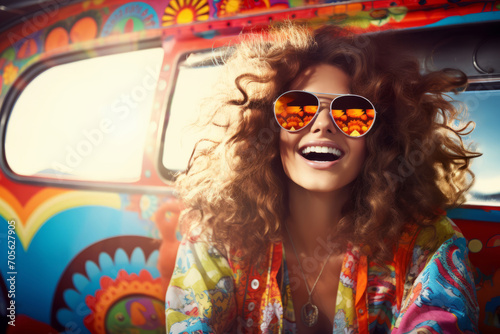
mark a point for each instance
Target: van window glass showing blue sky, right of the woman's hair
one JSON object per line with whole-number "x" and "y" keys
{"x": 482, "y": 107}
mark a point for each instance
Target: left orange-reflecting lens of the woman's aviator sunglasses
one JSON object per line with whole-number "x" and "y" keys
{"x": 294, "y": 110}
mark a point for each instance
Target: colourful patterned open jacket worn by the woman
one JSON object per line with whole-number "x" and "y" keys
{"x": 430, "y": 287}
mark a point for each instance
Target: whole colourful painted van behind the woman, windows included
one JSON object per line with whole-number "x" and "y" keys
{"x": 96, "y": 99}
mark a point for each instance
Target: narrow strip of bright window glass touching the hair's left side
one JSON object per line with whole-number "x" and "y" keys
{"x": 195, "y": 79}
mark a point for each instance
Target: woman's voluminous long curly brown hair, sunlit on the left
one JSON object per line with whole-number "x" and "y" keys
{"x": 416, "y": 166}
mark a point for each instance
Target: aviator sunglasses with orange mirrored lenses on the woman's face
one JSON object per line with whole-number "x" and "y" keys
{"x": 354, "y": 115}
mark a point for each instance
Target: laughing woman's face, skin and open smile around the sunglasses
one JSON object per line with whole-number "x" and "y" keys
{"x": 348, "y": 153}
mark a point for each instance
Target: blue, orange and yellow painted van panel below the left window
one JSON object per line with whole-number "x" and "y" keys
{"x": 107, "y": 279}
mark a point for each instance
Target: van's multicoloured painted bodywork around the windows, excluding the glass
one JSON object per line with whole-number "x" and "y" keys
{"x": 96, "y": 257}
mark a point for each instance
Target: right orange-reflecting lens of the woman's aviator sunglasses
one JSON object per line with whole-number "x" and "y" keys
{"x": 353, "y": 115}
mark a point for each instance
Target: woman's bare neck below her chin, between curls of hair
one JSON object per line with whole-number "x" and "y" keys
{"x": 313, "y": 216}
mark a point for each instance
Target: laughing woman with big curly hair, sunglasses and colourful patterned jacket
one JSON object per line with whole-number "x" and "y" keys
{"x": 299, "y": 216}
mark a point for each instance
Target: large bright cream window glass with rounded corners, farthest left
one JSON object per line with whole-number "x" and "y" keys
{"x": 85, "y": 120}
